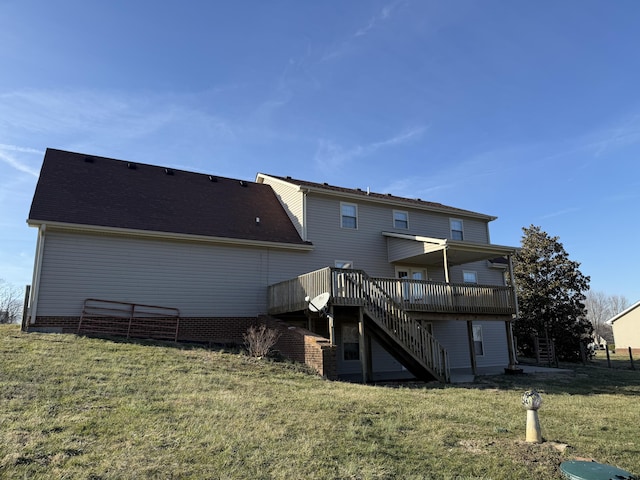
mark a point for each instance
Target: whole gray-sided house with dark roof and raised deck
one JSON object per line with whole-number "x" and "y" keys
{"x": 412, "y": 288}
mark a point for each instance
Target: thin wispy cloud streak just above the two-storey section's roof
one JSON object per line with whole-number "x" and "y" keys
{"x": 330, "y": 154}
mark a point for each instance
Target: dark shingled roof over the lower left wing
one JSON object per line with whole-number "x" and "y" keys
{"x": 80, "y": 189}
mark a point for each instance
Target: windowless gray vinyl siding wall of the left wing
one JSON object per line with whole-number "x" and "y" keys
{"x": 199, "y": 279}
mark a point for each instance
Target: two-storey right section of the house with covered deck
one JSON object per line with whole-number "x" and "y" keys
{"x": 434, "y": 263}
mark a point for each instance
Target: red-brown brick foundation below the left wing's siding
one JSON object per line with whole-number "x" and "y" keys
{"x": 295, "y": 343}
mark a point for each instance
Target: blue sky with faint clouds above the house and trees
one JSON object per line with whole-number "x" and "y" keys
{"x": 529, "y": 111}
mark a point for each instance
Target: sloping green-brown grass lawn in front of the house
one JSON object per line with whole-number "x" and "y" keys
{"x": 75, "y": 407}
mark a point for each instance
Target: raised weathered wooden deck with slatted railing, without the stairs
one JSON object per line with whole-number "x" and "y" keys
{"x": 412, "y": 295}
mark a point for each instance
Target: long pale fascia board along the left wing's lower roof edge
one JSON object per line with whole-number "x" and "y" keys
{"x": 169, "y": 235}
